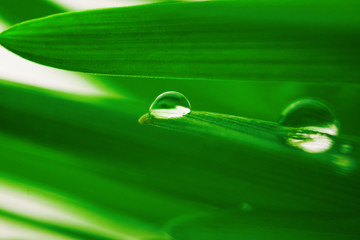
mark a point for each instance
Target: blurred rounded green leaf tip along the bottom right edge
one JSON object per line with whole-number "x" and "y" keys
{"x": 262, "y": 225}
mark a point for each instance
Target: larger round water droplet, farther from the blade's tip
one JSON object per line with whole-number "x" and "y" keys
{"x": 310, "y": 125}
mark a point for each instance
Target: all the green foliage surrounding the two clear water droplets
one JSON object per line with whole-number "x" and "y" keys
{"x": 207, "y": 175}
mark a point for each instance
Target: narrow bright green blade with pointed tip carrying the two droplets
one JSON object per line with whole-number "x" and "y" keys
{"x": 264, "y": 134}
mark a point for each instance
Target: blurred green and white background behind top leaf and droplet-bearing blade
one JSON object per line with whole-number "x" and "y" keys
{"x": 76, "y": 164}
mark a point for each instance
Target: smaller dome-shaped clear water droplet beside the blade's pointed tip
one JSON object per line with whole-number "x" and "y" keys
{"x": 170, "y": 105}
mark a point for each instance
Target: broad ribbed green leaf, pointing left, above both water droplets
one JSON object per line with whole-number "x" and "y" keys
{"x": 200, "y": 40}
